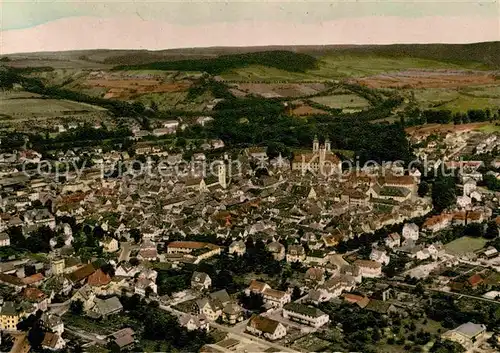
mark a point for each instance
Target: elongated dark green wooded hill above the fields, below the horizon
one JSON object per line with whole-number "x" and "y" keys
{"x": 284, "y": 60}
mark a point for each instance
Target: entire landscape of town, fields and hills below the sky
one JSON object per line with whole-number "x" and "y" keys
{"x": 314, "y": 198}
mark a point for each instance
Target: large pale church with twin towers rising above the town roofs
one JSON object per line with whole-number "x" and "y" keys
{"x": 321, "y": 161}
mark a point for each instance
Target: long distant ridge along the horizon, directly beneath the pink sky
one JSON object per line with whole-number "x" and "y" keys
{"x": 486, "y": 53}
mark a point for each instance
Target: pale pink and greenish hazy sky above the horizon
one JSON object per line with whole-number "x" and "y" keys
{"x": 48, "y": 25}
